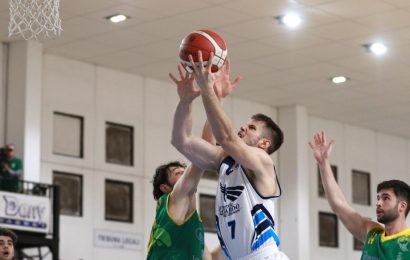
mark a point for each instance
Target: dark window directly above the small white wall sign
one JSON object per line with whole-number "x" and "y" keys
{"x": 118, "y": 201}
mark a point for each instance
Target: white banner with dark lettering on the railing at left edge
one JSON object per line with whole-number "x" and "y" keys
{"x": 25, "y": 212}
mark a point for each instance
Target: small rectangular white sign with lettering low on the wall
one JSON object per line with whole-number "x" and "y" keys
{"x": 119, "y": 240}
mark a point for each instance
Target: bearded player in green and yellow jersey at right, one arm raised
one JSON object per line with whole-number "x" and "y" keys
{"x": 393, "y": 204}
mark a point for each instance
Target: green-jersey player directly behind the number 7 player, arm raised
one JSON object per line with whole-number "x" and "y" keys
{"x": 178, "y": 232}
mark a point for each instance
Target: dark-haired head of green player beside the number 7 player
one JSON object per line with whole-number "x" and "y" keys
{"x": 165, "y": 177}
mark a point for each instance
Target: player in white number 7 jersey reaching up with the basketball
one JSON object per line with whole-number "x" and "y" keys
{"x": 247, "y": 181}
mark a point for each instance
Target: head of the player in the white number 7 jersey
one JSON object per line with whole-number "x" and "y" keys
{"x": 261, "y": 131}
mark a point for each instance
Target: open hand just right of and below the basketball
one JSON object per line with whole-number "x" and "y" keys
{"x": 223, "y": 85}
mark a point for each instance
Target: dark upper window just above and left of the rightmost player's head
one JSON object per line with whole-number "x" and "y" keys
{"x": 361, "y": 187}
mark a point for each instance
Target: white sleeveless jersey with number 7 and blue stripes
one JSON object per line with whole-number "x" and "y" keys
{"x": 244, "y": 219}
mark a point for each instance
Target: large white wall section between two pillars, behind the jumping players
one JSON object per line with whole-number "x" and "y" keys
{"x": 99, "y": 95}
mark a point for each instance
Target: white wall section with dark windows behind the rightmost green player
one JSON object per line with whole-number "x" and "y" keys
{"x": 384, "y": 156}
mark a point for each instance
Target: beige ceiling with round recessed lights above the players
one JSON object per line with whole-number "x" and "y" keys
{"x": 280, "y": 66}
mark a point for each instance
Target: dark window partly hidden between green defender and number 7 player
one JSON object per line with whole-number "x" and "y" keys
{"x": 207, "y": 210}
